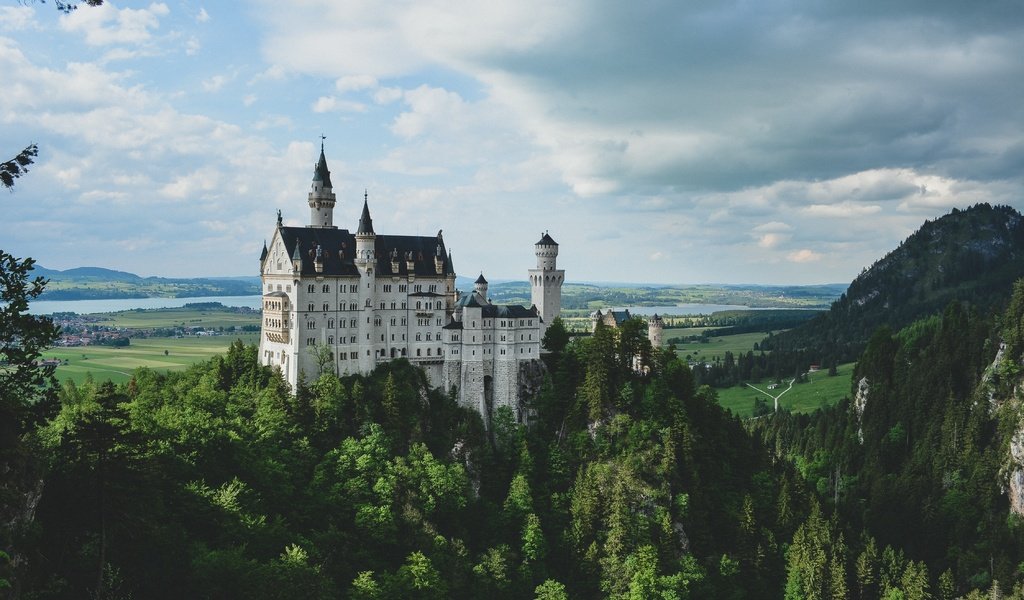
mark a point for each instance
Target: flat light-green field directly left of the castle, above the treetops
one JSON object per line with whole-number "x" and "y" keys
{"x": 117, "y": 364}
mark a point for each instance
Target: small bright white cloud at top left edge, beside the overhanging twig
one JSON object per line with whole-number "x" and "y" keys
{"x": 106, "y": 25}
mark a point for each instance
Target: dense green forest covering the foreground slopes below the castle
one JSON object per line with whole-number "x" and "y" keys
{"x": 626, "y": 479}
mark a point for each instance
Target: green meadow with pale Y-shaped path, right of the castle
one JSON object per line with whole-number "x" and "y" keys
{"x": 821, "y": 391}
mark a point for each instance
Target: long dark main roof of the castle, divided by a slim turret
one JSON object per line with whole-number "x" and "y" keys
{"x": 338, "y": 251}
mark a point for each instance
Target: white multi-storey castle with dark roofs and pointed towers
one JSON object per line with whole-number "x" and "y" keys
{"x": 345, "y": 303}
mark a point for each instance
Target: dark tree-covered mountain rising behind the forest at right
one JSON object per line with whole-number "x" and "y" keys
{"x": 972, "y": 255}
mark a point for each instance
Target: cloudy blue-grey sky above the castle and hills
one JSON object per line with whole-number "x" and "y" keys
{"x": 762, "y": 142}
